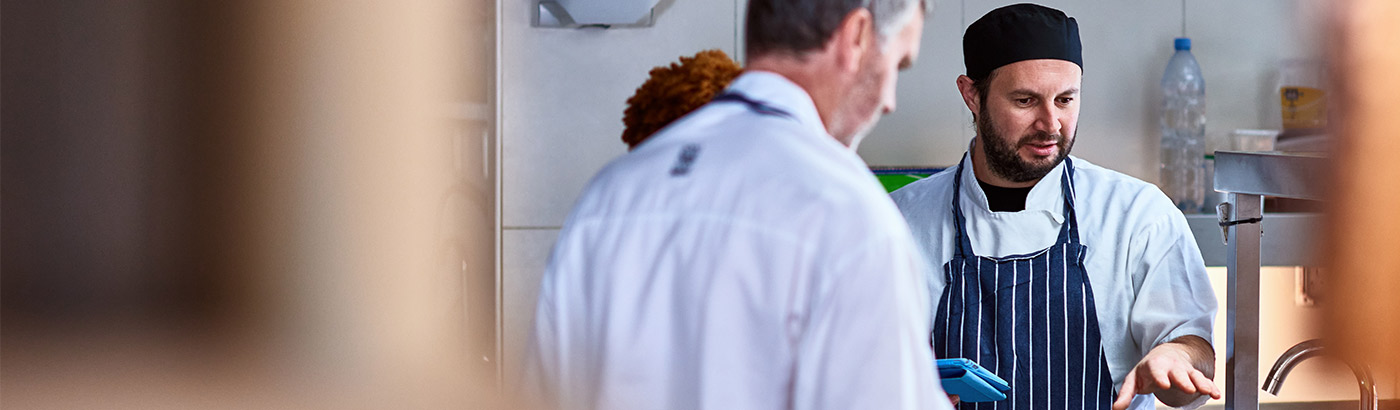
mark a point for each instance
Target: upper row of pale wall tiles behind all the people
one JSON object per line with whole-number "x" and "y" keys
{"x": 565, "y": 90}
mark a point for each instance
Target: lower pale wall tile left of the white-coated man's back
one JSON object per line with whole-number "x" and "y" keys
{"x": 524, "y": 257}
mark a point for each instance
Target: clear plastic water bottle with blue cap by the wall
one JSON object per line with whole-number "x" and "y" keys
{"x": 1184, "y": 129}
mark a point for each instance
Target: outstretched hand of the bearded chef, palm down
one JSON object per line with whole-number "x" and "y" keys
{"x": 1168, "y": 372}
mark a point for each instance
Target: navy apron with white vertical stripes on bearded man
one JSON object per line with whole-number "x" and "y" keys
{"x": 1027, "y": 318}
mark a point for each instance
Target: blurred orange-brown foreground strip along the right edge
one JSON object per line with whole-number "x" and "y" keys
{"x": 1364, "y": 220}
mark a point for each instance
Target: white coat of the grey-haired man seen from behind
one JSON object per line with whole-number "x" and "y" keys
{"x": 771, "y": 274}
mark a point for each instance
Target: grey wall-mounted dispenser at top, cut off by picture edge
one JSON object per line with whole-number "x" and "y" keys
{"x": 594, "y": 13}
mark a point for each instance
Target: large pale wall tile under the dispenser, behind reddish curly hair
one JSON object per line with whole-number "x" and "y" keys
{"x": 565, "y": 92}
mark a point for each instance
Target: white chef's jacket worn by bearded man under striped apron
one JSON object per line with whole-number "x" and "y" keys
{"x": 1147, "y": 274}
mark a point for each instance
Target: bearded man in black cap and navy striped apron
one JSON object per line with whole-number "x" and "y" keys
{"x": 1060, "y": 276}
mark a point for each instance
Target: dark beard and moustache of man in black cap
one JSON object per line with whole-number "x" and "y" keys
{"x": 1003, "y": 155}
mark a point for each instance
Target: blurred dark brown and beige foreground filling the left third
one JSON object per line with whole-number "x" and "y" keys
{"x": 240, "y": 206}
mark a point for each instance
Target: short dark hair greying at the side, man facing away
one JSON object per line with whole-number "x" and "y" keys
{"x": 803, "y": 26}
